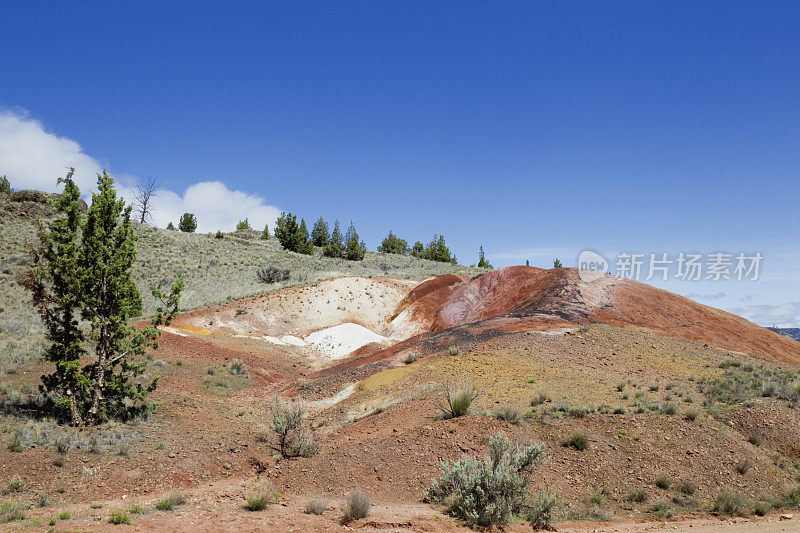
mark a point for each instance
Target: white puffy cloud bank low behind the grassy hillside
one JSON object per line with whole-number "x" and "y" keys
{"x": 34, "y": 158}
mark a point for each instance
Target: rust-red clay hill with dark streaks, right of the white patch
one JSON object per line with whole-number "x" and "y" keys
{"x": 520, "y": 298}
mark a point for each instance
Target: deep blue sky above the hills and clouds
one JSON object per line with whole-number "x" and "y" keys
{"x": 534, "y": 129}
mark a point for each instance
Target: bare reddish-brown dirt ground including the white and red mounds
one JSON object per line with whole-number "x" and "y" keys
{"x": 642, "y": 395}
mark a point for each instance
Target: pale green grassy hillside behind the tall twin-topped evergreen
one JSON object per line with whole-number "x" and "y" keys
{"x": 217, "y": 270}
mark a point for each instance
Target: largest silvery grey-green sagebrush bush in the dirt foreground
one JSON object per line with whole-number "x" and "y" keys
{"x": 487, "y": 492}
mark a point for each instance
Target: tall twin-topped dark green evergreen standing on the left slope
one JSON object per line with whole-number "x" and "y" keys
{"x": 84, "y": 266}
